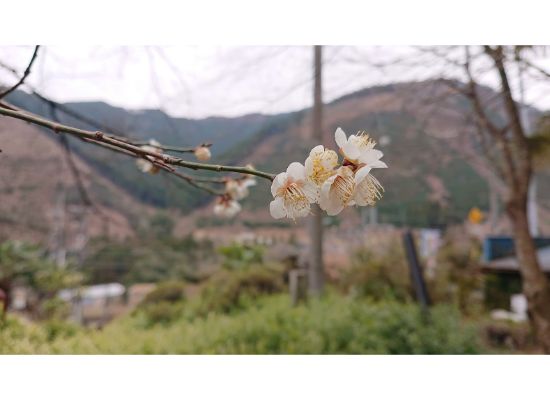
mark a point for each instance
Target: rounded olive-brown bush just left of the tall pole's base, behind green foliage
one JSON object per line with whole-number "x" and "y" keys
{"x": 228, "y": 291}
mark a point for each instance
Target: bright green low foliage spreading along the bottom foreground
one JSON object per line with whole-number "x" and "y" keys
{"x": 333, "y": 325}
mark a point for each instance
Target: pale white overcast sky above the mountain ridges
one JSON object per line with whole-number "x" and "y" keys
{"x": 204, "y": 80}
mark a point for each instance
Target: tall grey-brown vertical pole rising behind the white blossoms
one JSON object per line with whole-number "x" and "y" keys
{"x": 316, "y": 267}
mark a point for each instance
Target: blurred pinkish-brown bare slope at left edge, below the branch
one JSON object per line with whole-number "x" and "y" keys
{"x": 40, "y": 199}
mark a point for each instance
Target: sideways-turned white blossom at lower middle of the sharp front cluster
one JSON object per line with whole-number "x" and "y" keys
{"x": 338, "y": 191}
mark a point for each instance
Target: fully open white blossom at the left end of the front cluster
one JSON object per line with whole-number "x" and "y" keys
{"x": 293, "y": 193}
